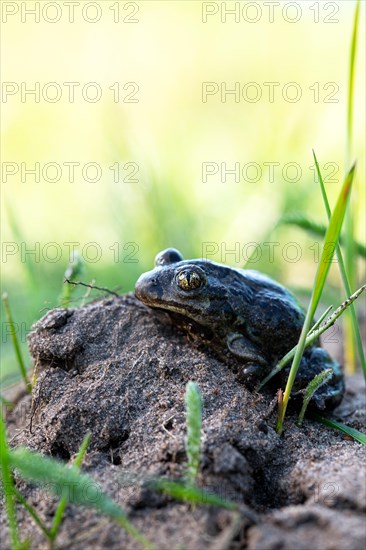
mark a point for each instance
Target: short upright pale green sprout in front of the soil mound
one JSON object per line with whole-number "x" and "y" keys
{"x": 194, "y": 425}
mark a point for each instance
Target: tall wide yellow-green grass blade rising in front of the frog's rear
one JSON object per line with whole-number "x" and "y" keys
{"x": 331, "y": 239}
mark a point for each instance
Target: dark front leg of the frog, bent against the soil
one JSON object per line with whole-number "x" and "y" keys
{"x": 254, "y": 364}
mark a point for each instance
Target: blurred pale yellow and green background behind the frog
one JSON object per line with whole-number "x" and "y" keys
{"x": 159, "y": 54}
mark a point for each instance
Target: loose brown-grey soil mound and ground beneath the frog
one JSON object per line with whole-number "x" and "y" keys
{"x": 119, "y": 369}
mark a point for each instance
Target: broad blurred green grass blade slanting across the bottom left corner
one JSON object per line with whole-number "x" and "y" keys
{"x": 77, "y": 488}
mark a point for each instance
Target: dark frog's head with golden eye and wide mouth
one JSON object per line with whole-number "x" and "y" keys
{"x": 193, "y": 288}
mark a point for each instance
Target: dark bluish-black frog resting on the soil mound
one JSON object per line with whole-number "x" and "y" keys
{"x": 247, "y": 318}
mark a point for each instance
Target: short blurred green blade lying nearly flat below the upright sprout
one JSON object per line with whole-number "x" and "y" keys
{"x": 192, "y": 494}
